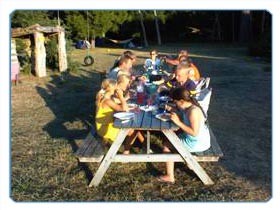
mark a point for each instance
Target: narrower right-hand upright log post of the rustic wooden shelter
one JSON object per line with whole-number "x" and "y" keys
{"x": 62, "y": 57}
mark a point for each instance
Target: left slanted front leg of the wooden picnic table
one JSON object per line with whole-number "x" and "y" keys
{"x": 109, "y": 157}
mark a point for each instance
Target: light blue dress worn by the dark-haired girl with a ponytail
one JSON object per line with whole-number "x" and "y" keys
{"x": 198, "y": 143}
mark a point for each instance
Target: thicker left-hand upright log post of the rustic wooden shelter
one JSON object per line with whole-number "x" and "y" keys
{"x": 39, "y": 55}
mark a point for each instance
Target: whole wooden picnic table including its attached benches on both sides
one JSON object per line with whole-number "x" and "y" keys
{"x": 146, "y": 122}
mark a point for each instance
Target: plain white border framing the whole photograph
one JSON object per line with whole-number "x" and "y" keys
{"x": 8, "y": 6}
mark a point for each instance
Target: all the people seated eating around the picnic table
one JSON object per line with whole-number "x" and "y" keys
{"x": 185, "y": 112}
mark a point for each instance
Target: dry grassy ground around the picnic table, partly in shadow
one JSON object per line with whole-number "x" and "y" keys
{"x": 50, "y": 117}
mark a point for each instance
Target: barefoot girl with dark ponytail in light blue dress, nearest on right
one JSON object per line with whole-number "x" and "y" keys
{"x": 193, "y": 132}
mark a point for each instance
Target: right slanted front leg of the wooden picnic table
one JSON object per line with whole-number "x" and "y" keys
{"x": 187, "y": 156}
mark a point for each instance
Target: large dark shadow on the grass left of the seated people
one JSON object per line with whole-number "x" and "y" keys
{"x": 71, "y": 99}
